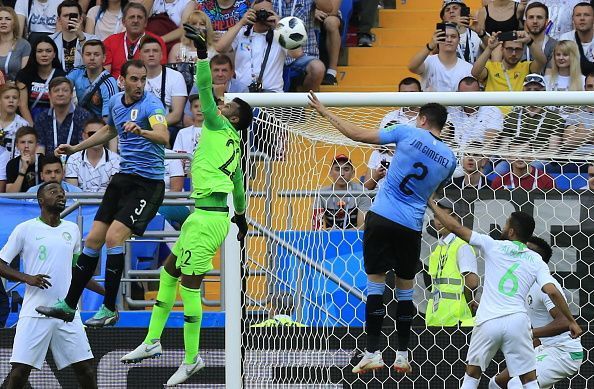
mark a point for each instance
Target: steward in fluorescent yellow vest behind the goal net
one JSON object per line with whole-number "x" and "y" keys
{"x": 453, "y": 271}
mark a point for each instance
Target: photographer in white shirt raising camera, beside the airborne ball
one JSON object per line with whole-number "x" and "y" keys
{"x": 250, "y": 39}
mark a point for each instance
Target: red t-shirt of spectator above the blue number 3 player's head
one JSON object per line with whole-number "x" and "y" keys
{"x": 116, "y": 52}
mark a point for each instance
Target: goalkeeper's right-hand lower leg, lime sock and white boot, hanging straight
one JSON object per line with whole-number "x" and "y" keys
{"x": 190, "y": 293}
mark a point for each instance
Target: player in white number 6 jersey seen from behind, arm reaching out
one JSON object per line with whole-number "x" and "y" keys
{"x": 501, "y": 319}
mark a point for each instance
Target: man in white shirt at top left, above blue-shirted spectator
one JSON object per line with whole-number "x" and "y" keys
{"x": 70, "y": 39}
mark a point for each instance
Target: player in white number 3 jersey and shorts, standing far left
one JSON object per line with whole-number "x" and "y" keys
{"x": 48, "y": 247}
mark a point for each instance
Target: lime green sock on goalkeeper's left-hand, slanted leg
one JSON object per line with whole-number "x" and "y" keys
{"x": 162, "y": 307}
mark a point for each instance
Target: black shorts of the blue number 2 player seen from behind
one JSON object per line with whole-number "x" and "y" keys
{"x": 390, "y": 246}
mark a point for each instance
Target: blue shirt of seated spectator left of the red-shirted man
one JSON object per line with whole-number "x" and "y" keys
{"x": 98, "y": 103}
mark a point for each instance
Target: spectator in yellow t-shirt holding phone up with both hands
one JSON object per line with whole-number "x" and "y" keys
{"x": 509, "y": 73}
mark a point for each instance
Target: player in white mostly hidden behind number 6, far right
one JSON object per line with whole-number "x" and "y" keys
{"x": 558, "y": 356}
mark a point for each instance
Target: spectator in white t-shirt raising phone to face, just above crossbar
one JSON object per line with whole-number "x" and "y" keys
{"x": 441, "y": 72}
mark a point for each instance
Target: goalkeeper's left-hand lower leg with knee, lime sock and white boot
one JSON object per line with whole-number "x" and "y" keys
{"x": 151, "y": 346}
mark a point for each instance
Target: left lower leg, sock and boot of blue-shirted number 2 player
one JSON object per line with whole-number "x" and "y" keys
{"x": 374, "y": 318}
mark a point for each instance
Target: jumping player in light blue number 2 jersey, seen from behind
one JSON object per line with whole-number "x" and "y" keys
{"x": 392, "y": 236}
